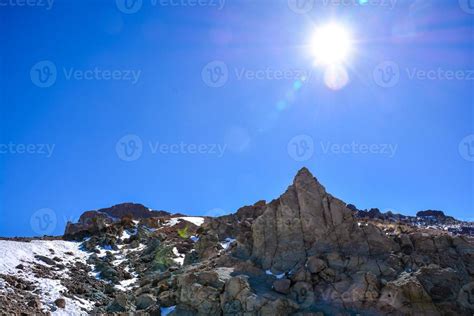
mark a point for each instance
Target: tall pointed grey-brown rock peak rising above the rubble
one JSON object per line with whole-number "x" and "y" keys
{"x": 306, "y": 220}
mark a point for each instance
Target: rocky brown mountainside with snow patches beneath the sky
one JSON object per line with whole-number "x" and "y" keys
{"x": 305, "y": 253}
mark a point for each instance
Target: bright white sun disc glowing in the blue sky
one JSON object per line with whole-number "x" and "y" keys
{"x": 331, "y": 45}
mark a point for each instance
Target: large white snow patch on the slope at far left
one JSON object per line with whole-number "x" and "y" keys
{"x": 13, "y": 253}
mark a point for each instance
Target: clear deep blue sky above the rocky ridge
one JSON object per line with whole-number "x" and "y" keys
{"x": 202, "y": 109}
